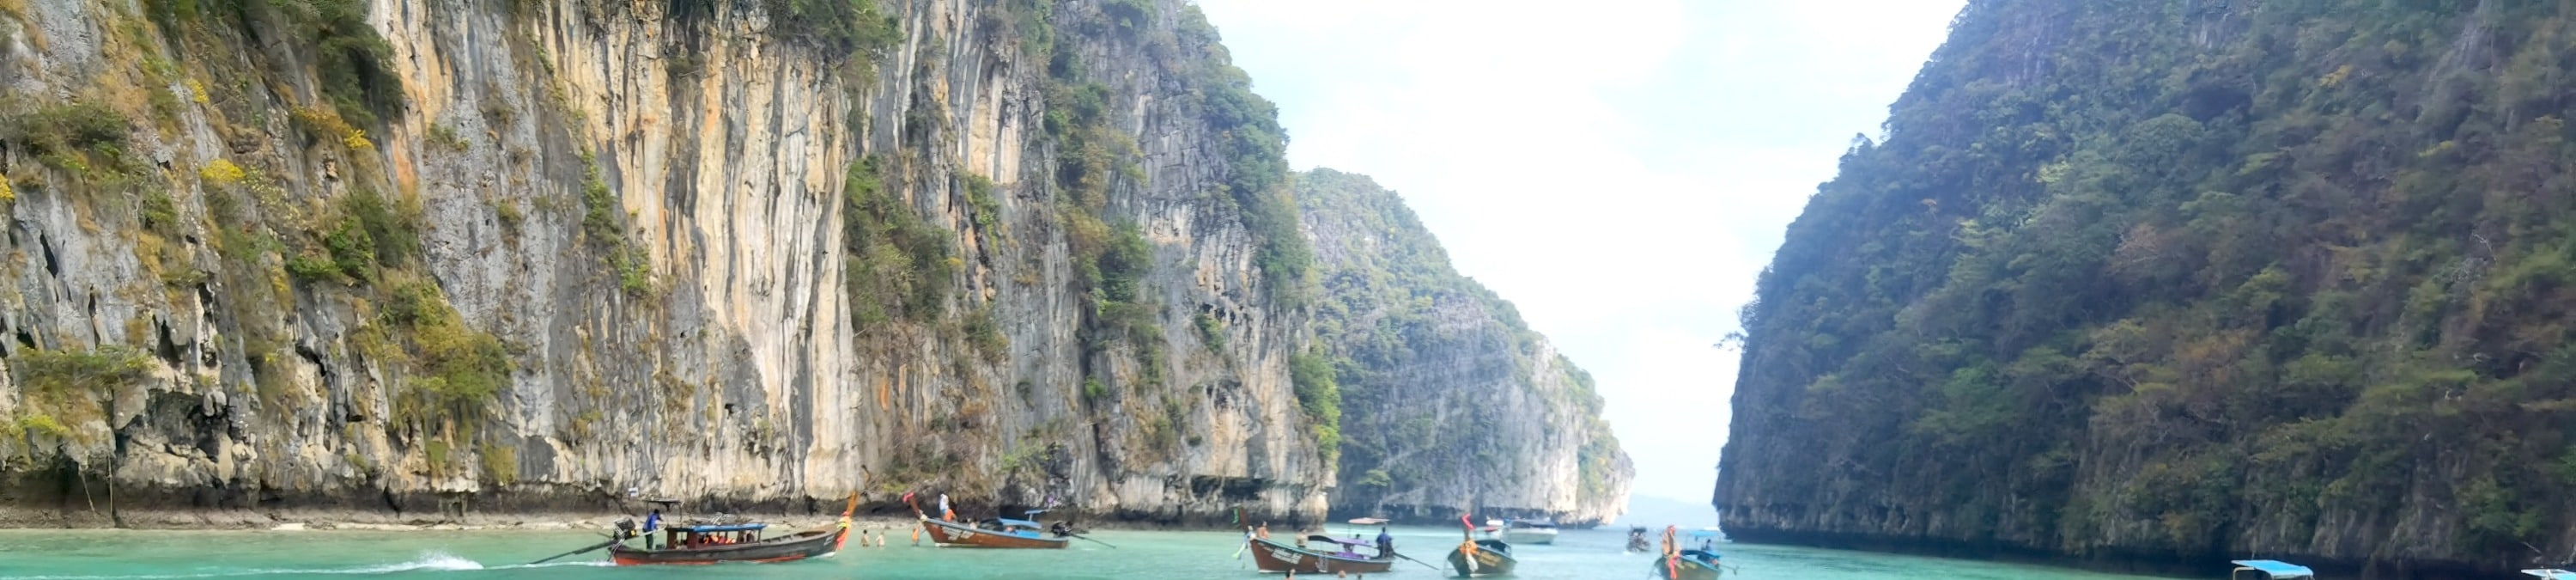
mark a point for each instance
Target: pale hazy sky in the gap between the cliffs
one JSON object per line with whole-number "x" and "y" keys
{"x": 1619, "y": 169}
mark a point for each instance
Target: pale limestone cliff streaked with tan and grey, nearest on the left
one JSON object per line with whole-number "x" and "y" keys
{"x": 411, "y": 256}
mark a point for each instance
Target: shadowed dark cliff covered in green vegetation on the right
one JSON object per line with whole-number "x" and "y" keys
{"x": 2170, "y": 282}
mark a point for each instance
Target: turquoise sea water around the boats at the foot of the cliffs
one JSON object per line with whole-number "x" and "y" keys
{"x": 1142, "y": 556}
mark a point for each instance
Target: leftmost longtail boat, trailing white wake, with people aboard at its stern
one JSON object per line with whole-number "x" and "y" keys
{"x": 730, "y": 543}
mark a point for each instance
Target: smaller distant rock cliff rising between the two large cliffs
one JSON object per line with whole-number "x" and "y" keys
{"x": 1446, "y": 401}
